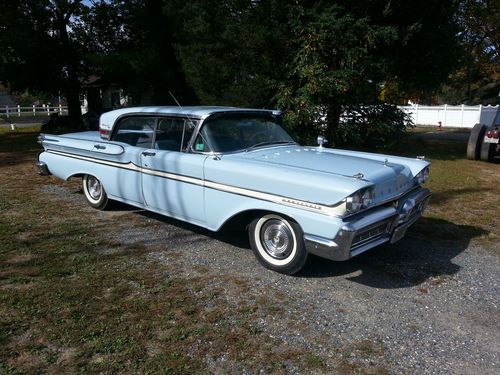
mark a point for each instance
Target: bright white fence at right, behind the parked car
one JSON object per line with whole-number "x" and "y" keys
{"x": 458, "y": 116}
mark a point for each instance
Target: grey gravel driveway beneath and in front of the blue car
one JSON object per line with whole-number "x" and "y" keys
{"x": 420, "y": 306}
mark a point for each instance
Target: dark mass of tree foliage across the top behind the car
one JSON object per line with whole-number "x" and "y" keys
{"x": 313, "y": 59}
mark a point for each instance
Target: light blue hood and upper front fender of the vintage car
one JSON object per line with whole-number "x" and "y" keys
{"x": 316, "y": 175}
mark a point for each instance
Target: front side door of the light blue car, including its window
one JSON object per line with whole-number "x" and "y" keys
{"x": 172, "y": 179}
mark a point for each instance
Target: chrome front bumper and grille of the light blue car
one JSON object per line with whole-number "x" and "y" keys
{"x": 370, "y": 229}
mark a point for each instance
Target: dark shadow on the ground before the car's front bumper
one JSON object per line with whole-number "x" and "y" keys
{"x": 426, "y": 252}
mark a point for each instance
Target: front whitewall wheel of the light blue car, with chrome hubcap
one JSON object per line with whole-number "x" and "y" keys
{"x": 278, "y": 243}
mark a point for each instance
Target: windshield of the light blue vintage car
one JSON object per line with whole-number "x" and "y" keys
{"x": 238, "y": 132}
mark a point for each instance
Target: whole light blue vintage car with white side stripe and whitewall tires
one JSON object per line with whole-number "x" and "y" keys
{"x": 220, "y": 166}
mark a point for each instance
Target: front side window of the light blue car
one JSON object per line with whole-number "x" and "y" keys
{"x": 172, "y": 133}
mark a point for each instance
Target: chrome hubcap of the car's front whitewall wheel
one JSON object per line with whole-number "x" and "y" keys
{"x": 277, "y": 239}
